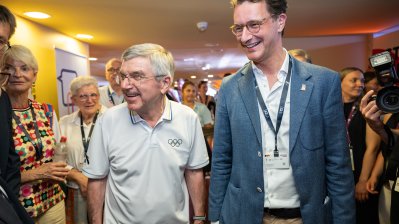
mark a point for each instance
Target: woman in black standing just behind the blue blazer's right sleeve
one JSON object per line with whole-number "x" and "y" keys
{"x": 364, "y": 144}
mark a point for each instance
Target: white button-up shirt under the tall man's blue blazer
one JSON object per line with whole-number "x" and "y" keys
{"x": 280, "y": 191}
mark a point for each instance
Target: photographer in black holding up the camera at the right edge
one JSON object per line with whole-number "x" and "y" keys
{"x": 386, "y": 167}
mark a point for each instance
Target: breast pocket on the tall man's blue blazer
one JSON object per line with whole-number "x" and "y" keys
{"x": 311, "y": 133}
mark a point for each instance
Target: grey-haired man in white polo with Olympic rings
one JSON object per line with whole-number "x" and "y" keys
{"x": 146, "y": 156}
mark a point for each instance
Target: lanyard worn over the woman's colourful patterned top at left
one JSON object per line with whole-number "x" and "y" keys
{"x": 39, "y": 145}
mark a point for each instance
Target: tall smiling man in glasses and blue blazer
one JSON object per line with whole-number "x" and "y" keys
{"x": 280, "y": 150}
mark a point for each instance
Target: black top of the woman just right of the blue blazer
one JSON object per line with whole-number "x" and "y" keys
{"x": 357, "y": 136}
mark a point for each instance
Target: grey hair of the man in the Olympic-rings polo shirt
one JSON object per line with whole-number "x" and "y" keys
{"x": 161, "y": 60}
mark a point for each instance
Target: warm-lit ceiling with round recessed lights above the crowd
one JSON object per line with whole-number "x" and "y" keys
{"x": 118, "y": 24}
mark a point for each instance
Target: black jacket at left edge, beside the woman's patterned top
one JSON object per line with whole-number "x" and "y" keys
{"x": 9, "y": 159}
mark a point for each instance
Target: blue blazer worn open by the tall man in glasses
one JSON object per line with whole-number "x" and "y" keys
{"x": 318, "y": 148}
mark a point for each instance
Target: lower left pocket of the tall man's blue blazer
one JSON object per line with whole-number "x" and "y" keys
{"x": 231, "y": 205}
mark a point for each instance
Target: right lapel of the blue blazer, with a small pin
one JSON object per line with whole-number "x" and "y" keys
{"x": 301, "y": 89}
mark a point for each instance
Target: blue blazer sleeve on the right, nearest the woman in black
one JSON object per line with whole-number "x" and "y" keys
{"x": 339, "y": 176}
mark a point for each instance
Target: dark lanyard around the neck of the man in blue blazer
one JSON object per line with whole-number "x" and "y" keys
{"x": 280, "y": 109}
